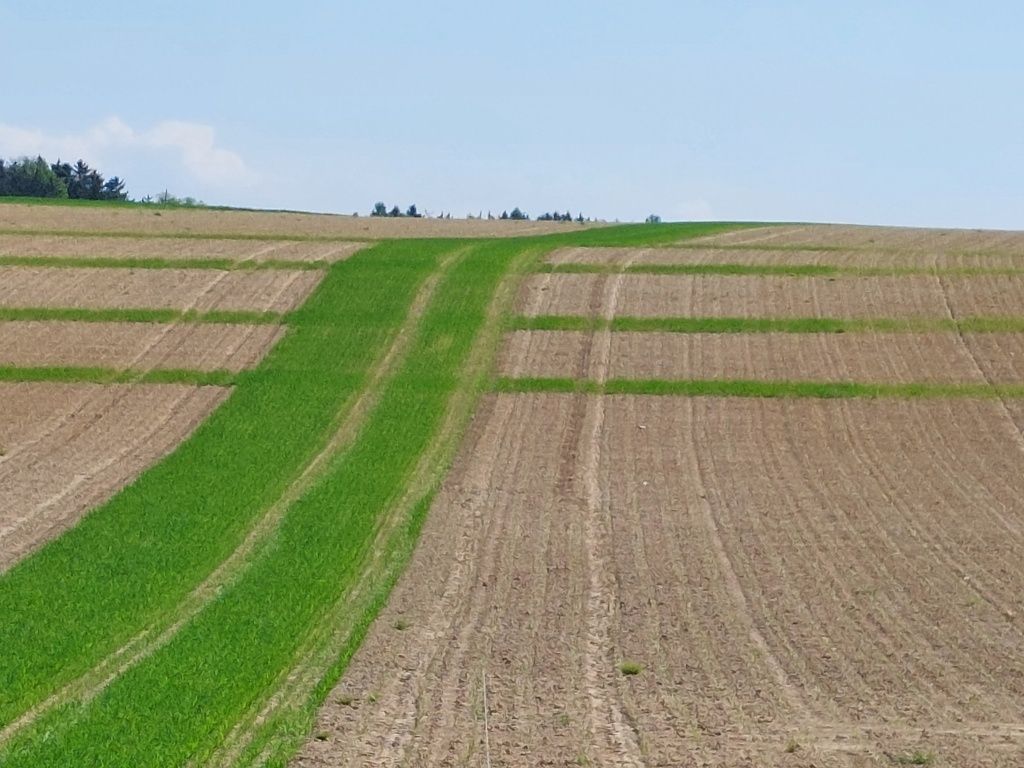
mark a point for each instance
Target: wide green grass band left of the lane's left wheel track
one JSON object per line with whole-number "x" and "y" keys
{"x": 134, "y": 560}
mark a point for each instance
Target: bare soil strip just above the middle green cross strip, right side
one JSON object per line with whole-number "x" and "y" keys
{"x": 760, "y": 296}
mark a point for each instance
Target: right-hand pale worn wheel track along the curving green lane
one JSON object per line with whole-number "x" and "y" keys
{"x": 329, "y": 647}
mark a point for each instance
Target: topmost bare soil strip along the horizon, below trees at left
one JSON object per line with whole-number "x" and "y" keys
{"x": 144, "y": 221}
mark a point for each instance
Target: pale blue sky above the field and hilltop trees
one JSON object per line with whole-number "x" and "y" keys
{"x": 898, "y": 113}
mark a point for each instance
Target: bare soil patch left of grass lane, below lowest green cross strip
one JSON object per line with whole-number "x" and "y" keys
{"x": 66, "y": 449}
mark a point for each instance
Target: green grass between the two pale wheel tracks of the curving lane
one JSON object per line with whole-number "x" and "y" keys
{"x": 184, "y": 700}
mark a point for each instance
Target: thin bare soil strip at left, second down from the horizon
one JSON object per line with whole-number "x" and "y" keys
{"x": 174, "y": 248}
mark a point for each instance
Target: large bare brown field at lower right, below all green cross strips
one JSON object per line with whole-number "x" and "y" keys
{"x": 798, "y": 583}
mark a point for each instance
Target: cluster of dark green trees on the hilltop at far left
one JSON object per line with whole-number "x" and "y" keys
{"x": 29, "y": 178}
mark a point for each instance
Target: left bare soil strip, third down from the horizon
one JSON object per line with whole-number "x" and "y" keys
{"x": 263, "y": 290}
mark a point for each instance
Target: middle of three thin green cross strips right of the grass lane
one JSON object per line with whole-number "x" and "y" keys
{"x": 769, "y": 325}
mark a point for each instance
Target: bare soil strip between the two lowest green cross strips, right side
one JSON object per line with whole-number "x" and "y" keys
{"x": 867, "y": 358}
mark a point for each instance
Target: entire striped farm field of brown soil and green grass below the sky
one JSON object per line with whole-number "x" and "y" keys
{"x": 275, "y": 492}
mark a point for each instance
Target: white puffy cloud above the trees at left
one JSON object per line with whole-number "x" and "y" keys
{"x": 192, "y": 146}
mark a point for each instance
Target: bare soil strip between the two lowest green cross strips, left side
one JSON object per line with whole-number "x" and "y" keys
{"x": 140, "y": 347}
